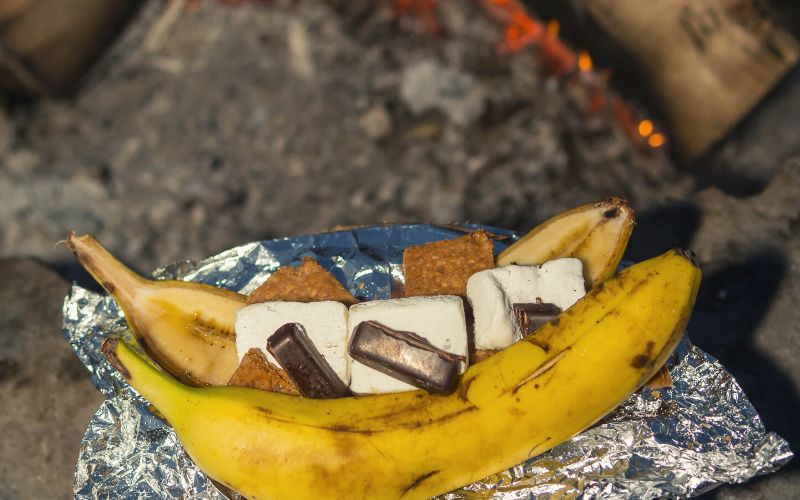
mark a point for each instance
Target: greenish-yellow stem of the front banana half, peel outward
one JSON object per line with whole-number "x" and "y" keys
{"x": 156, "y": 386}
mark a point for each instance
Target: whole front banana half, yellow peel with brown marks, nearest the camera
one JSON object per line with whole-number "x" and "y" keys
{"x": 516, "y": 404}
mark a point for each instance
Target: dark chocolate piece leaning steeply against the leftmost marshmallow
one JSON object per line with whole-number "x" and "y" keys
{"x": 301, "y": 360}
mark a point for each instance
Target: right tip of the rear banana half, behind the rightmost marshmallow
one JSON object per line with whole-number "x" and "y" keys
{"x": 596, "y": 233}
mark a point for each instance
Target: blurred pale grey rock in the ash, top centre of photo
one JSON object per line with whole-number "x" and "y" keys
{"x": 425, "y": 85}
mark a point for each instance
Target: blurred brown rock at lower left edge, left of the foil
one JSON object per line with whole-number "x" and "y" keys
{"x": 47, "y": 397}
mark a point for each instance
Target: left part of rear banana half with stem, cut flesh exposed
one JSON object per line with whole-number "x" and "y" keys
{"x": 187, "y": 328}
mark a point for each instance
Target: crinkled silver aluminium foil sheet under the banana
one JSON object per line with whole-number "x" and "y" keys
{"x": 674, "y": 442}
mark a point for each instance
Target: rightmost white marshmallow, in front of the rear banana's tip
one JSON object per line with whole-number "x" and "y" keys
{"x": 492, "y": 294}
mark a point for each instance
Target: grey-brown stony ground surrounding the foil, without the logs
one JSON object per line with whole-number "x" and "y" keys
{"x": 235, "y": 124}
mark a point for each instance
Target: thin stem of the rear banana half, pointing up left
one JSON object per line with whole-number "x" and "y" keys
{"x": 113, "y": 275}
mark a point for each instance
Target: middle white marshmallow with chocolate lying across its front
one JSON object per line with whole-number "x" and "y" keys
{"x": 439, "y": 320}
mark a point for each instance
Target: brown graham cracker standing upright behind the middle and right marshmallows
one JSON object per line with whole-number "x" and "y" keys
{"x": 443, "y": 267}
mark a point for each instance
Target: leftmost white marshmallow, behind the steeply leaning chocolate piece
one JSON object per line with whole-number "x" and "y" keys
{"x": 325, "y": 323}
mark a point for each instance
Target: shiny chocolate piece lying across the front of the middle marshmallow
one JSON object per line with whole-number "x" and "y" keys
{"x": 405, "y": 356}
